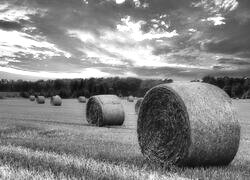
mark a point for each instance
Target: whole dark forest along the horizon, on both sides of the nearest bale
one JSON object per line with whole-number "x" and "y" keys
{"x": 72, "y": 88}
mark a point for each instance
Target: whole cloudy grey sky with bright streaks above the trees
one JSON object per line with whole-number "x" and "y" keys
{"x": 178, "y": 39}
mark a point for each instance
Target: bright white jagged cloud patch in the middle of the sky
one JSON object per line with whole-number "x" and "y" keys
{"x": 128, "y": 32}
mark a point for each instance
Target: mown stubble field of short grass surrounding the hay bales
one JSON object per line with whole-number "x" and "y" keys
{"x": 41, "y": 141}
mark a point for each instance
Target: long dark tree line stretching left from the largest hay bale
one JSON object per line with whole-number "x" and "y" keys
{"x": 72, "y": 88}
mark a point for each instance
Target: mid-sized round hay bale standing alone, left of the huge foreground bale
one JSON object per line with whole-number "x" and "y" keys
{"x": 105, "y": 110}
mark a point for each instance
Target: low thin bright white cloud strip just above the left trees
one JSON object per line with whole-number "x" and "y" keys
{"x": 85, "y": 73}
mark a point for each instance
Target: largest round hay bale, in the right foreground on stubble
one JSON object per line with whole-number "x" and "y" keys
{"x": 191, "y": 124}
